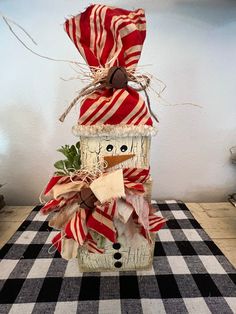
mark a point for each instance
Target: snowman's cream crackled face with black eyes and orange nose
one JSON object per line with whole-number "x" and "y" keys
{"x": 94, "y": 149}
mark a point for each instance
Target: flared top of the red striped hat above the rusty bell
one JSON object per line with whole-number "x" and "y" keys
{"x": 107, "y": 35}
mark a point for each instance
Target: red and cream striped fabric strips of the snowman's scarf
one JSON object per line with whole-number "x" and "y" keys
{"x": 101, "y": 219}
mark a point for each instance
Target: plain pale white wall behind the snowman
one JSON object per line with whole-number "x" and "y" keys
{"x": 191, "y": 46}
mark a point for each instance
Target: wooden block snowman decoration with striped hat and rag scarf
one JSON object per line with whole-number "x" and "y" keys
{"x": 116, "y": 230}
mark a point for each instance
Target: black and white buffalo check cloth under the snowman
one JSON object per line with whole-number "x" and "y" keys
{"x": 189, "y": 275}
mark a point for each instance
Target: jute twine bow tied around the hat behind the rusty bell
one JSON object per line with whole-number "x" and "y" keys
{"x": 100, "y": 81}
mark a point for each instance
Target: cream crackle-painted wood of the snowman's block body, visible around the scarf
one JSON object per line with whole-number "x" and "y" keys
{"x": 139, "y": 253}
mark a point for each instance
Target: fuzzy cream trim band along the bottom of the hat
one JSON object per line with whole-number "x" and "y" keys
{"x": 113, "y": 130}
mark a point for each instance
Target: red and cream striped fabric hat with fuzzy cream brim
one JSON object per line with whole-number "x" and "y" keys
{"x": 106, "y": 37}
